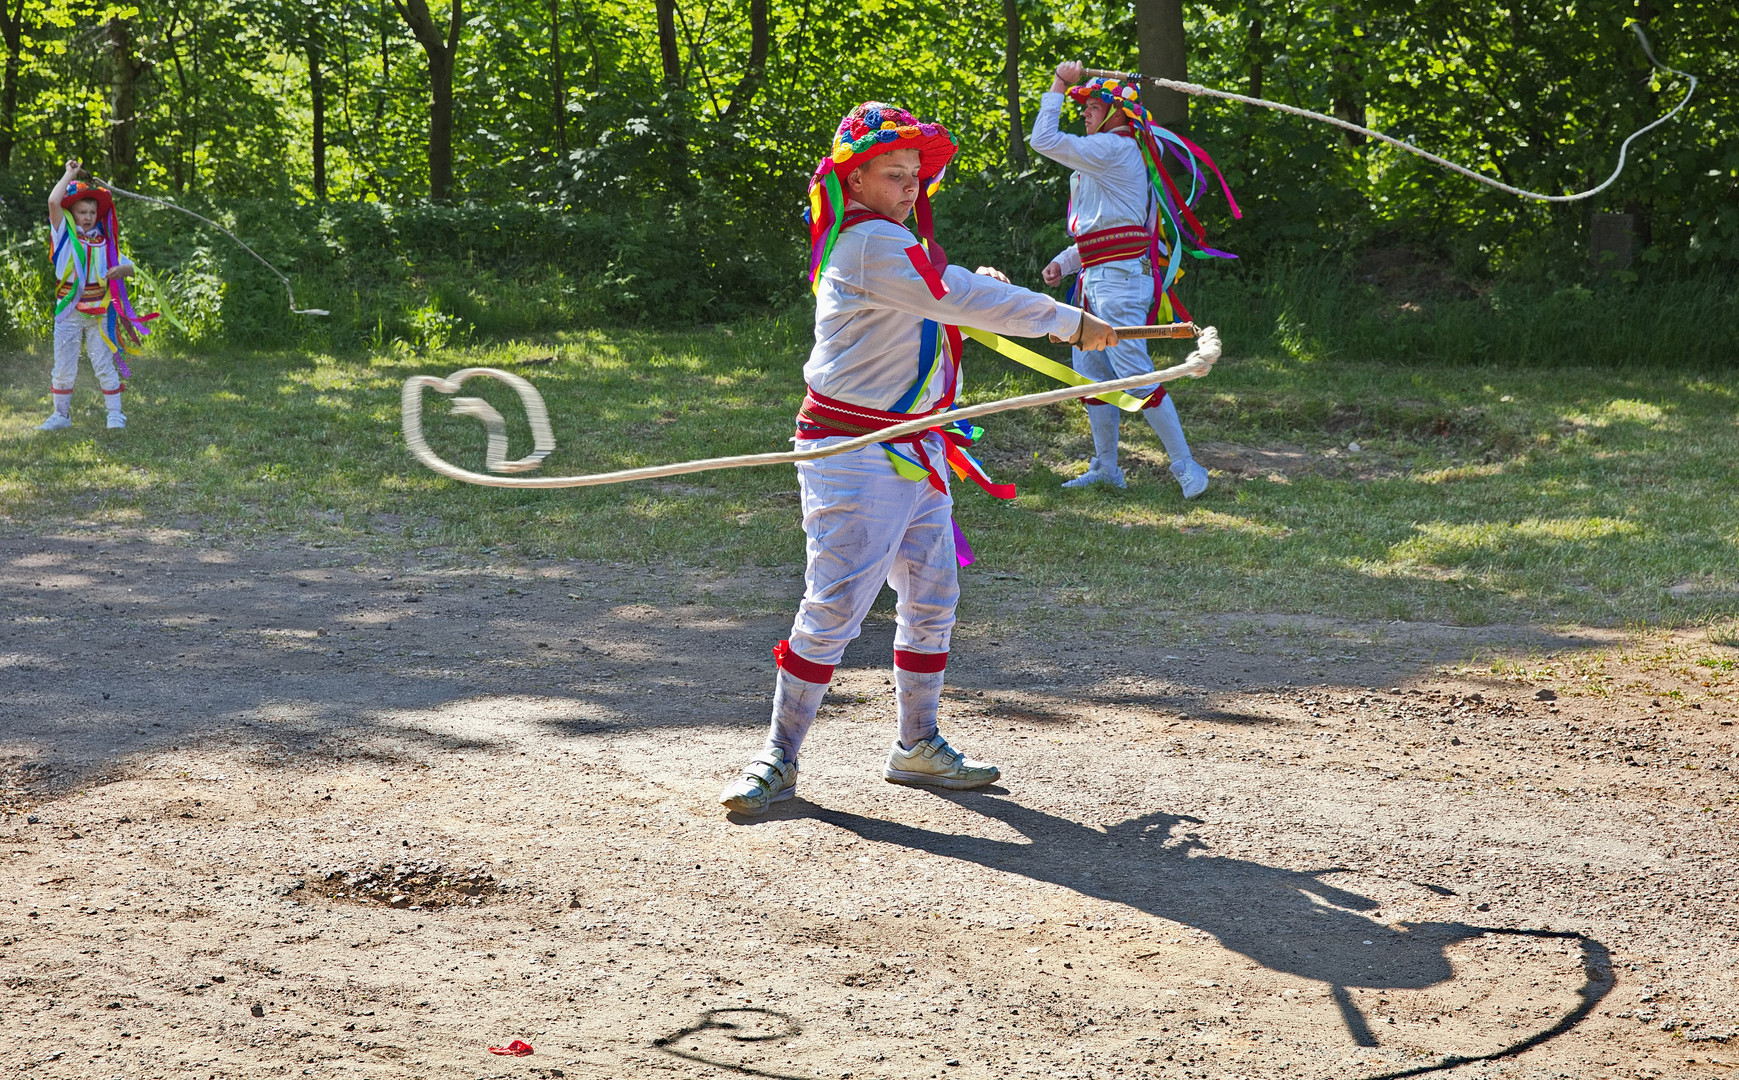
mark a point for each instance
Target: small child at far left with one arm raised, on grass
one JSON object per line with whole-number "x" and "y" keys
{"x": 91, "y": 309}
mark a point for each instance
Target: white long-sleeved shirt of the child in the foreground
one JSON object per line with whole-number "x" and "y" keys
{"x": 872, "y": 305}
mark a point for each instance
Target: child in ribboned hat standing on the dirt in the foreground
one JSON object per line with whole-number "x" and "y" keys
{"x": 888, "y": 349}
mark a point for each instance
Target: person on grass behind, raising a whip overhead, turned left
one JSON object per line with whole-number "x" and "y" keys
{"x": 1128, "y": 218}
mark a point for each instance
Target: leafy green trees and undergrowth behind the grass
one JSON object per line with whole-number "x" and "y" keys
{"x": 514, "y": 166}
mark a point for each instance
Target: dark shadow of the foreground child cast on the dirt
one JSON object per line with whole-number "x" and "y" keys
{"x": 1288, "y": 921}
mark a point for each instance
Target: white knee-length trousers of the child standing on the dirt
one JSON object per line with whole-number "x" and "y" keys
{"x": 869, "y": 526}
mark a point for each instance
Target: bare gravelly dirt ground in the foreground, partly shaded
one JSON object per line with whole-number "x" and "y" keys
{"x": 307, "y": 813}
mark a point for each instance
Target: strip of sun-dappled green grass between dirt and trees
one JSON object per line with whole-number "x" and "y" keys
{"x": 1479, "y": 493}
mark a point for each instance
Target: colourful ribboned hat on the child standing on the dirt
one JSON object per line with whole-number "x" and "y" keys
{"x": 869, "y": 131}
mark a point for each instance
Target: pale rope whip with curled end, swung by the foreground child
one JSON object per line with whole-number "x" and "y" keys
{"x": 543, "y": 441}
